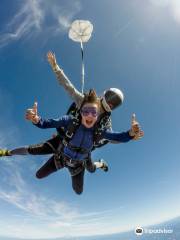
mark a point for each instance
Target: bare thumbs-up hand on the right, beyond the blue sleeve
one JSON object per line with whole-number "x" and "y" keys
{"x": 135, "y": 130}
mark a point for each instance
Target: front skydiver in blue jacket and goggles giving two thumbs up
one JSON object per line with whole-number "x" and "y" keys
{"x": 78, "y": 144}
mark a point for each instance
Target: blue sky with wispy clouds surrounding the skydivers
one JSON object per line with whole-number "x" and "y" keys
{"x": 134, "y": 47}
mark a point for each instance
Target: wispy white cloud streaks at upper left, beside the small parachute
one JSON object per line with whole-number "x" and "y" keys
{"x": 30, "y": 19}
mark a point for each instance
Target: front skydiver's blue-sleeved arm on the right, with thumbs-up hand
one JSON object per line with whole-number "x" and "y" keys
{"x": 134, "y": 133}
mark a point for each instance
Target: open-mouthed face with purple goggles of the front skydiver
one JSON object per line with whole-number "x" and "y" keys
{"x": 89, "y": 113}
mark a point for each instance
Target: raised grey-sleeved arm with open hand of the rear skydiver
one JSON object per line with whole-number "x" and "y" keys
{"x": 64, "y": 81}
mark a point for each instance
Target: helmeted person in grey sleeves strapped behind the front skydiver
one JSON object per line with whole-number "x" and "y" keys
{"x": 111, "y": 99}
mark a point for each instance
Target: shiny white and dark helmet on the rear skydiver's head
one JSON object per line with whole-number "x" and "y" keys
{"x": 112, "y": 98}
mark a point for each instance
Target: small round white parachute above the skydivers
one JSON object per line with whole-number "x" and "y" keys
{"x": 81, "y": 31}
